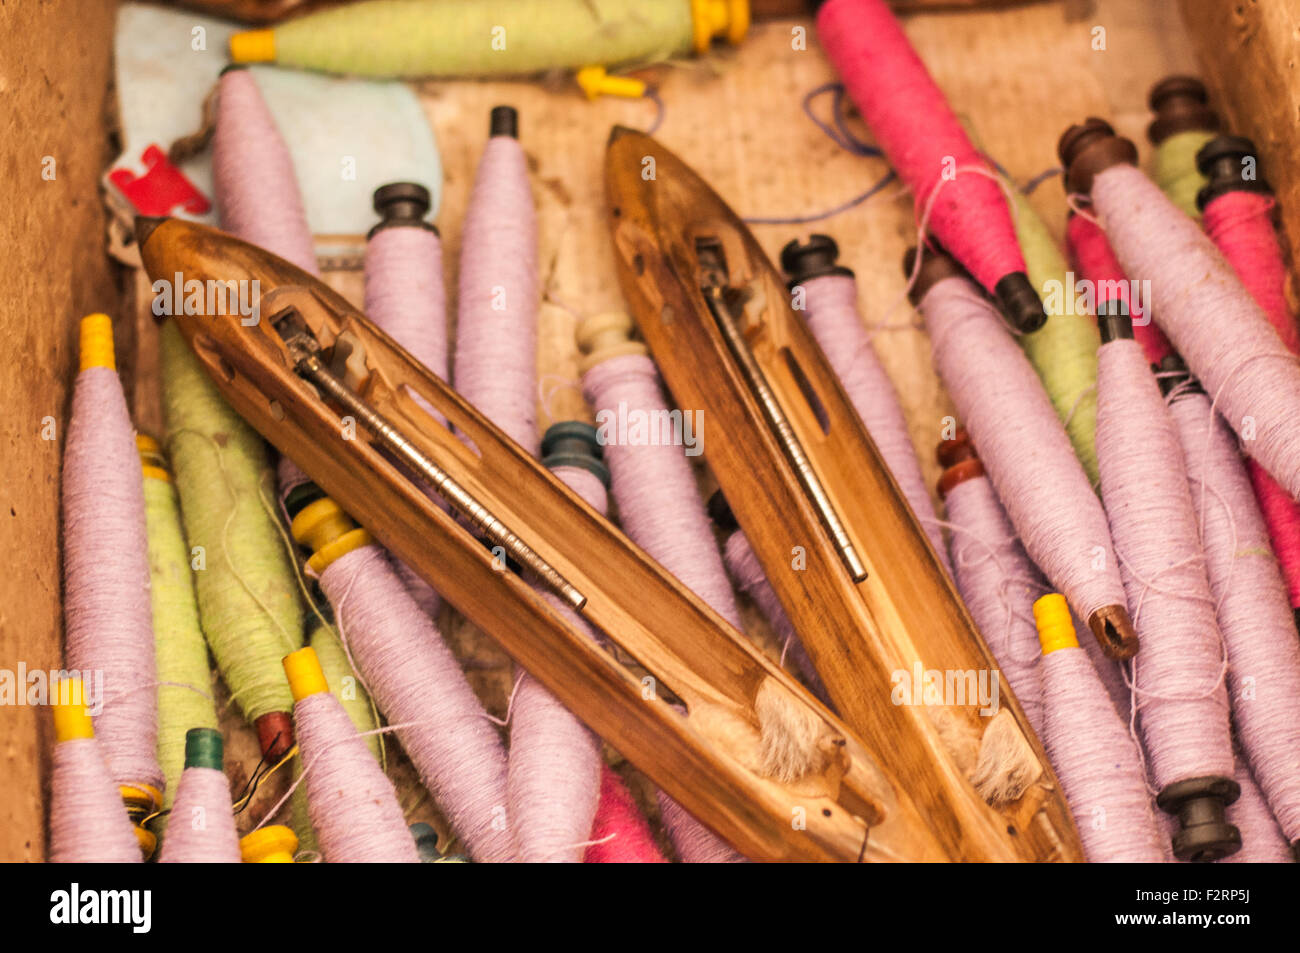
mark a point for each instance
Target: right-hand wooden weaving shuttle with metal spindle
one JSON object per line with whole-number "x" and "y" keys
{"x": 835, "y": 536}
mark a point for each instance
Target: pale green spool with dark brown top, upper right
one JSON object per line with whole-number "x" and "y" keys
{"x": 1184, "y": 124}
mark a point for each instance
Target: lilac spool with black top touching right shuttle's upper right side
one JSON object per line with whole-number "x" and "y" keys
{"x": 831, "y": 311}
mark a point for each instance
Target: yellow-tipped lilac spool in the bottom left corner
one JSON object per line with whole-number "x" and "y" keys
{"x": 88, "y": 821}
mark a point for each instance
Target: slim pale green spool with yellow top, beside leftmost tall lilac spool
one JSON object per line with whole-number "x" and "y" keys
{"x": 184, "y": 673}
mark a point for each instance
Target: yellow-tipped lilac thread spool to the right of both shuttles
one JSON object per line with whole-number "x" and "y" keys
{"x": 1090, "y": 748}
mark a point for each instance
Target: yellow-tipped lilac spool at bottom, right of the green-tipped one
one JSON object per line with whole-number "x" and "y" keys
{"x": 353, "y": 804}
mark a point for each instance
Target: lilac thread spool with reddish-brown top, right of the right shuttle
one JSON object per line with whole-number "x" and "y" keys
{"x": 995, "y": 577}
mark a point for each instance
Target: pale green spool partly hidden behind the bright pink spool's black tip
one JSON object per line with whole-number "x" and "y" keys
{"x": 1065, "y": 350}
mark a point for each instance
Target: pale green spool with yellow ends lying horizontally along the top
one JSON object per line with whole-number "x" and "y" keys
{"x": 466, "y": 38}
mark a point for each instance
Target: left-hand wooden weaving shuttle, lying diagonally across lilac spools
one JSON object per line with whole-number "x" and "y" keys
{"x": 311, "y": 359}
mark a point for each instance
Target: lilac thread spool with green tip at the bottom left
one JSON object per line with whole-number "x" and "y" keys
{"x": 202, "y": 825}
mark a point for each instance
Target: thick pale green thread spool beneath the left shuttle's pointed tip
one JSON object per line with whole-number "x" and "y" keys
{"x": 248, "y": 595}
